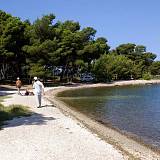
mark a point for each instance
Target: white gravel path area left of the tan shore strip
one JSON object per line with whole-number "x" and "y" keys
{"x": 50, "y": 135}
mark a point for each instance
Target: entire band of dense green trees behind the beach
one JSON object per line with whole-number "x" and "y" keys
{"x": 28, "y": 50}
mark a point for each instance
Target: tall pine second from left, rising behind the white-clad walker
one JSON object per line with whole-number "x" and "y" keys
{"x": 42, "y": 46}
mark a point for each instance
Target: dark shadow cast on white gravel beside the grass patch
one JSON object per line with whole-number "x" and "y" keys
{"x": 34, "y": 119}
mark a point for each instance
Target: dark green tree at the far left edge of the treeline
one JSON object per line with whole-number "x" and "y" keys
{"x": 12, "y": 40}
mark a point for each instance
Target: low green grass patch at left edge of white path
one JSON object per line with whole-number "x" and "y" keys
{"x": 12, "y": 111}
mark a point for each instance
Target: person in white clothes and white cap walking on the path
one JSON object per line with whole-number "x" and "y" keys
{"x": 38, "y": 91}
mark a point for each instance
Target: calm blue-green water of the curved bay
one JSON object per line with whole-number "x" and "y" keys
{"x": 132, "y": 109}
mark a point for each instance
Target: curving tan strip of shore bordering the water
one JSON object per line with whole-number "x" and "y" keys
{"x": 130, "y": 146}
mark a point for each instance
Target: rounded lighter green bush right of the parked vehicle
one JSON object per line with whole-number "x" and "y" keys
{"x": 111, "y": 66}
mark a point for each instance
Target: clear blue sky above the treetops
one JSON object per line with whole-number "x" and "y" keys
{"x": 120, "y": 21}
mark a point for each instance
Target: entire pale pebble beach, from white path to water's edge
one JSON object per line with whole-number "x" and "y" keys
{"x": 53, "y": 133}
